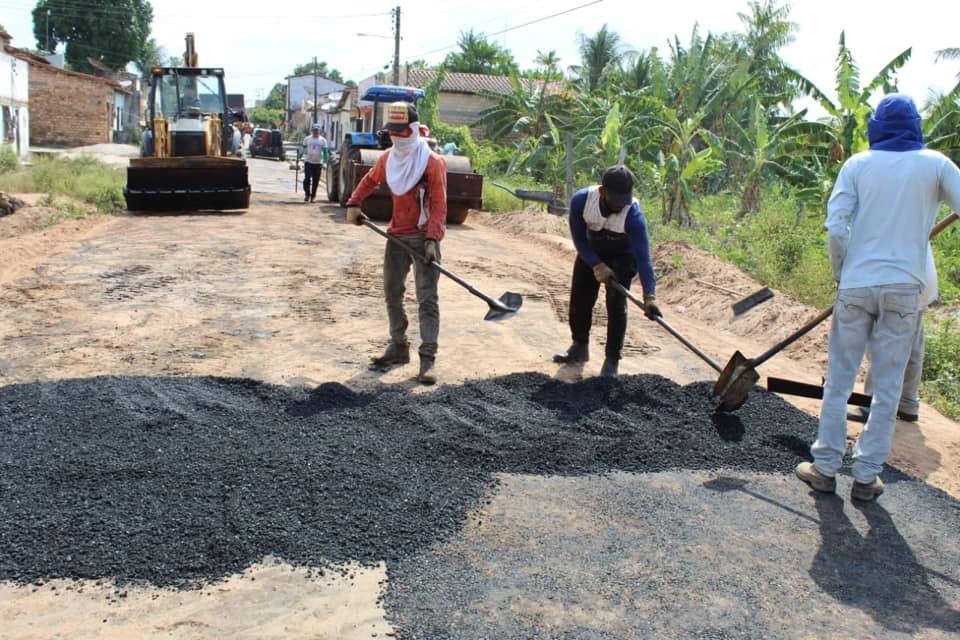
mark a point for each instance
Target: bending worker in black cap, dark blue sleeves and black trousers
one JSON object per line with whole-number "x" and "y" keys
{"x": 610, "y": 235}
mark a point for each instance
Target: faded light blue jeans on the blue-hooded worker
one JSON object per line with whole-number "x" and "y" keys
{"x": 882, "y": 319}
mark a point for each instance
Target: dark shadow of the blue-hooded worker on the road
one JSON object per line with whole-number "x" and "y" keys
{"x": 878, "y": 573}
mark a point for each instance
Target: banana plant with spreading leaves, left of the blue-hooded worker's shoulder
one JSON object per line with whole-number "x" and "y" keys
{"x": 782, "y": 146}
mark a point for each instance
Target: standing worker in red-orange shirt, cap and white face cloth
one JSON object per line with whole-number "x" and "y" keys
{"x": 417, "y": 178}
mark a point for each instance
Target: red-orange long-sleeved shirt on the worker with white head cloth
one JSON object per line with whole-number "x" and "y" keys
{"x": 406, "y": 207}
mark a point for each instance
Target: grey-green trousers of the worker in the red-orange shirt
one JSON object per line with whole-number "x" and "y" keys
{"x": 396, "y": 266}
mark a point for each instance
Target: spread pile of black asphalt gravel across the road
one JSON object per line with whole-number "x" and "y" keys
{"x": 177, "y": 481}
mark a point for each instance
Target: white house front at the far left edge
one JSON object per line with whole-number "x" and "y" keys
{"x": 14, "y": 99}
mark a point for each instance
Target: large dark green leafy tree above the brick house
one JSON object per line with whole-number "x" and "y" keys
{"x": 113, "y": 33}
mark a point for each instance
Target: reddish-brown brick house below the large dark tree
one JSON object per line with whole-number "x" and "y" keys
{"x": 73, "y": 109}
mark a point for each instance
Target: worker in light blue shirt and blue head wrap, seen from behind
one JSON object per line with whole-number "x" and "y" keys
{"x": 879, "y": 216}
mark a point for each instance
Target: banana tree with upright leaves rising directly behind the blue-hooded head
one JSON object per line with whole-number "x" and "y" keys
{"x": 850, "y": 111}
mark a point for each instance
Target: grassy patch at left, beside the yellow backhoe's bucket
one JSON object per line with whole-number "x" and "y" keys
{"x": 84, "y": 178}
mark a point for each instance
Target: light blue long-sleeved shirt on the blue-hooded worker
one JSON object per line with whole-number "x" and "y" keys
{"x": 880, "y": 213}
